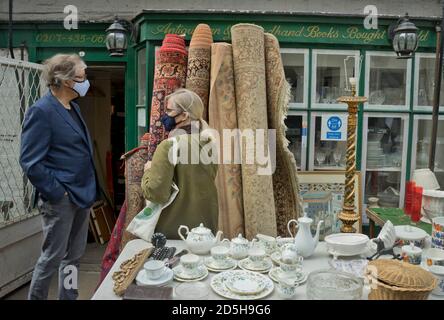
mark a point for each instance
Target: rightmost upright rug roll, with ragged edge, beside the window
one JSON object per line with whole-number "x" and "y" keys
{"x": 285, "y": 181}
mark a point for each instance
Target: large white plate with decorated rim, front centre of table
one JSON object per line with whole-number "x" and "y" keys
{"x": 219, "y": 281}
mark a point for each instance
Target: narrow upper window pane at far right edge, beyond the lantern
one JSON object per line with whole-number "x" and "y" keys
{"x": 426, "y": 82}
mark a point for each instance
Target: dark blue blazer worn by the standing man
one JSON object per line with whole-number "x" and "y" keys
{"x": 56, "y": 154}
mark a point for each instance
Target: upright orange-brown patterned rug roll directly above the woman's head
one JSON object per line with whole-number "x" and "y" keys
{"x": 199, "y": 61}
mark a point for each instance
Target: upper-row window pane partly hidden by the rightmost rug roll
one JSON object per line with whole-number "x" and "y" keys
{"x": 294, "y": 72}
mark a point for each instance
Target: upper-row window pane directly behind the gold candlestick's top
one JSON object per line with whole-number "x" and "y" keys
{"x": 331, "y": 76}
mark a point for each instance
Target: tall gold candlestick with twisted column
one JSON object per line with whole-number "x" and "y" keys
{"x": 348, "y": 215}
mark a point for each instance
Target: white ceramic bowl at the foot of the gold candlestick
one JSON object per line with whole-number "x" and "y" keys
{"x": 348, "y": 244}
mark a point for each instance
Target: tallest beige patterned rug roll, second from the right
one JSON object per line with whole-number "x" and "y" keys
{"x": 251, "y": 103}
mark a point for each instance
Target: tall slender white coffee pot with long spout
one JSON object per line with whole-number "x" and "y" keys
{"x": 304, "y": 241}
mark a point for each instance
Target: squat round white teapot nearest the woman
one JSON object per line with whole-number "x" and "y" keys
{"x": 199, "y": 240}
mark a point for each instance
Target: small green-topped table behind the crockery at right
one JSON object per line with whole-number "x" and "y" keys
{"x": 378, "y": 216}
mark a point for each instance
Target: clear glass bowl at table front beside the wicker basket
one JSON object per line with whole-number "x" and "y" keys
{"x": 333, "y": 285}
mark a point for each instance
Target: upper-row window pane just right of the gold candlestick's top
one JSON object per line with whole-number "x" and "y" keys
{"x": 387, "y": 81}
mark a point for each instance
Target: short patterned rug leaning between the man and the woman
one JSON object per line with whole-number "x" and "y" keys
{"x": 134, "y": 167}
